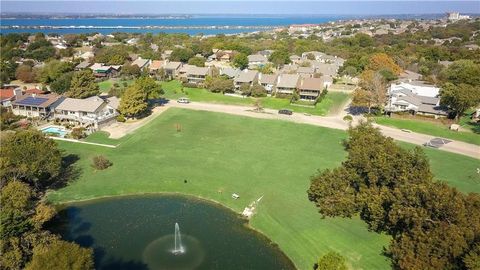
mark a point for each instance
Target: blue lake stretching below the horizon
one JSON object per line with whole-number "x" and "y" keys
{"x": 194, "y": 25}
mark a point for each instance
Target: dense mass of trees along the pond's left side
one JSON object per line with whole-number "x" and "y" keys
{"x": 30, "y": 164}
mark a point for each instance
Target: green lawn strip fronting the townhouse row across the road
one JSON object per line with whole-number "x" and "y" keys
{"x": 332, "y": 101}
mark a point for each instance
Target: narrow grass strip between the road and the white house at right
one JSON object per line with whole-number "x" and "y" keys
{"x": 430, "y": 129}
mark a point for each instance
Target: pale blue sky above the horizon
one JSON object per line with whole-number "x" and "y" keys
{"x": 342, "y": 7}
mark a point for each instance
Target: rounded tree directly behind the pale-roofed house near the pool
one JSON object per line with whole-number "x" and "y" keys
{"x": 83, "y": 85}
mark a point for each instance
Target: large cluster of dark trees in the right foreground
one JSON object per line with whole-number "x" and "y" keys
{"x": 433, "y": 226}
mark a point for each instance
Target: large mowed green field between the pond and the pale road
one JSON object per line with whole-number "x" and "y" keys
{"x": 220, "y": 154}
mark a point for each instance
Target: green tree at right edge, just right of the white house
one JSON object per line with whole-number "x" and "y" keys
{"x": 459, "y": 97}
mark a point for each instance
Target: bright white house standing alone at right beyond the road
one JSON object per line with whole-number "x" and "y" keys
{"x": 417, "y": 98}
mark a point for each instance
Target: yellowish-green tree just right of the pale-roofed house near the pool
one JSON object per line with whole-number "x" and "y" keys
{"x": 133, "y": 102}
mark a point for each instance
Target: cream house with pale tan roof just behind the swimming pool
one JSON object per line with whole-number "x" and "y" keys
{"x": 89, "y": 112}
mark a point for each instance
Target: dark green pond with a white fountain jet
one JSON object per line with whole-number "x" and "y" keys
{"x": 138, "y": 232}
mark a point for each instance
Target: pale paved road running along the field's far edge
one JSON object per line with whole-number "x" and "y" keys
{"x": 335, "y": 122}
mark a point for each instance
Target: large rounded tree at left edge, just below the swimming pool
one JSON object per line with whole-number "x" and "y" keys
{"x": 29, "y": 156}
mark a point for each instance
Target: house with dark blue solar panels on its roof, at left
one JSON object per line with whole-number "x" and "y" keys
{"x": 36, "y": 105}
